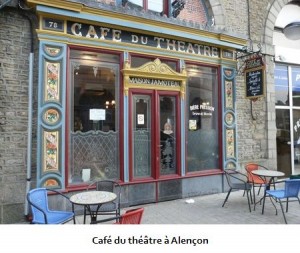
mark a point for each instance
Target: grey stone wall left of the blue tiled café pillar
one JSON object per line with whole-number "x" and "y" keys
{"x": 14, "y": 67}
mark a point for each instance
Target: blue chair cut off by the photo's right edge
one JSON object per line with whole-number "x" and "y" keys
{"x": 291, "y": 190}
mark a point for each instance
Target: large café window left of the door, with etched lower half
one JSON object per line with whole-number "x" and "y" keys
{"x": 93, "y": 137}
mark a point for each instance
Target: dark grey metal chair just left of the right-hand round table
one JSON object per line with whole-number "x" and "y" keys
{"x": 238, "y": 181}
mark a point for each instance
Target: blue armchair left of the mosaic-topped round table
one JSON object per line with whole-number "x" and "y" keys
{"x": 41, "y": 214}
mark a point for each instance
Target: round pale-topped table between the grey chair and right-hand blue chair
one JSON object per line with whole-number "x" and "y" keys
{"x": 269, "y": 176}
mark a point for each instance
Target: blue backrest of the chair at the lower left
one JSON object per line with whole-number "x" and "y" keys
{"x": 38, "y": 200}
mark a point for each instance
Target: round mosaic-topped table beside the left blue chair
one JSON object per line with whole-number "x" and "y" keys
{"x": 90, "y": 198}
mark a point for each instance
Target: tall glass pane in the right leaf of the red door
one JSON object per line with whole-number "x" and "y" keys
{"x": 167, "y": 135}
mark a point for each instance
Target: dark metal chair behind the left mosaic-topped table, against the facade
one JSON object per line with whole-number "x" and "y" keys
{"x": 111, "y": 208}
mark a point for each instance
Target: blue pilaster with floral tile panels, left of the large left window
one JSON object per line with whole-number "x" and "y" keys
{"x": 51, "y": 115}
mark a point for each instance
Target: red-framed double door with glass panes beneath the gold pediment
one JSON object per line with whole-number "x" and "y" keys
{"x": 154, "y": 131}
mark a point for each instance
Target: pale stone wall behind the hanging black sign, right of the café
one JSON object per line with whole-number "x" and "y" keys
{"x": 256, "y": 127}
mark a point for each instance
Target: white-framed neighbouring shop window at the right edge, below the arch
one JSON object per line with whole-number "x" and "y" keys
{"x": 287, "y": 92}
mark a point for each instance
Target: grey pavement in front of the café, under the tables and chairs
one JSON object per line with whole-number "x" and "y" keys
{"x": 208, "y": 210}
